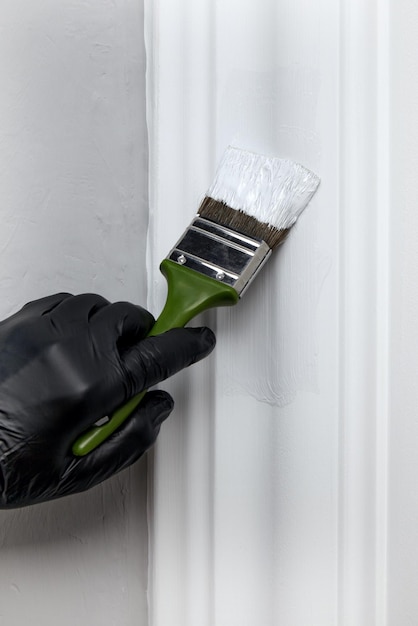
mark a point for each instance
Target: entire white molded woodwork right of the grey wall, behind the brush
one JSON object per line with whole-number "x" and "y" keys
{"x": 284, "y": 487}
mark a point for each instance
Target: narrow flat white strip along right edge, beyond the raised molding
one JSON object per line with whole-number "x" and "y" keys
{"x": 402, "y": 505}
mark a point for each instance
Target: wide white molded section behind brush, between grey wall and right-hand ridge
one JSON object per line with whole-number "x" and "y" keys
{"x": 244, "y": 498}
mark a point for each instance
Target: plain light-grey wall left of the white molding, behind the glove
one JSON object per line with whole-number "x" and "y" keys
{"x": 73, "y": 212}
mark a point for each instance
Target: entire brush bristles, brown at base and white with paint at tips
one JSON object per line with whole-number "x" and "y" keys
{"x": 265, "y": 194}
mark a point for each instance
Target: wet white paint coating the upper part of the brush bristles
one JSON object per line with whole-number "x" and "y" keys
{"x": 274, "y": 191}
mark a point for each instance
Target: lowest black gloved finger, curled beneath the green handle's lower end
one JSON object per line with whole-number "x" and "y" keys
{"x": 124, "y": 447}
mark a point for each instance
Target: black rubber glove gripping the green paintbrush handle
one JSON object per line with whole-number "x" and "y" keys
{"x": 65, "y": 362}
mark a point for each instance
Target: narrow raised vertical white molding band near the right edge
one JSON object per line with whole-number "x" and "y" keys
{"x": 364, "y": 131}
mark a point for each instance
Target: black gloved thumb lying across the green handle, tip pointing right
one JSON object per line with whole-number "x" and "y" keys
{"x": 156, "y": 358}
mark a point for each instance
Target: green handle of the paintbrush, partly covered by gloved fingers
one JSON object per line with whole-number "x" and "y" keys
{"x": 189, "y": 293}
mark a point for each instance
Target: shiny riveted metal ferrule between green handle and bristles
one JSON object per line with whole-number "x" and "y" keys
{"x": 220, "y": 253}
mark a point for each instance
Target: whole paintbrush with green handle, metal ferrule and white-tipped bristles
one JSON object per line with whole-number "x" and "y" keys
{"x": 248, "y": 211}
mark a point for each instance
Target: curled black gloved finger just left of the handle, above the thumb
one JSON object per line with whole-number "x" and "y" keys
{"x": 125, "y": 322}
